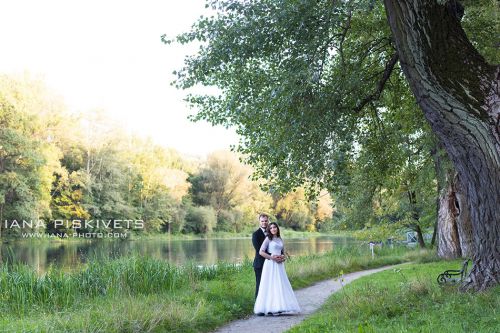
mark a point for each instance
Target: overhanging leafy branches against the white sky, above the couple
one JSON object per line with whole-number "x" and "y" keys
{"x": 294, "y": 130}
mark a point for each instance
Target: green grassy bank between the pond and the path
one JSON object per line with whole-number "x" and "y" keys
{"x": 139, "y": 294}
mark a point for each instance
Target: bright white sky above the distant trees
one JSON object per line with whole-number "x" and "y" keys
{"x": 108, "y": 54}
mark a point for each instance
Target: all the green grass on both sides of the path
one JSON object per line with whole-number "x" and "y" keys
{"x": 138, "y": 294}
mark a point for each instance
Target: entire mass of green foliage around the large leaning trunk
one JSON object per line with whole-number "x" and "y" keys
{"x": 315, "y": 91}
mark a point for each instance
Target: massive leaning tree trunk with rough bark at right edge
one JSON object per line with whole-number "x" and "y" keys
{"x": 459, "y": 94}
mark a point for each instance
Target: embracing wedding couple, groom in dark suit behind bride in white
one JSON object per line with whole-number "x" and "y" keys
{"x": 273, "y": 292}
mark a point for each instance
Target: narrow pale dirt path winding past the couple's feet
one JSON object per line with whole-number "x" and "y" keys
{"x": 310, "y": 299}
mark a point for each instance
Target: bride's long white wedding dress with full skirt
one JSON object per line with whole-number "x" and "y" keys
{"x": 275, "y": 292}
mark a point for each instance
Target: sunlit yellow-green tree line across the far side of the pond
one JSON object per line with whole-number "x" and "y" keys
{"x": 60, "y": 166}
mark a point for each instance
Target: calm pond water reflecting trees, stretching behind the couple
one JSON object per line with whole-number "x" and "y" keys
{"x": 69, "y": 255}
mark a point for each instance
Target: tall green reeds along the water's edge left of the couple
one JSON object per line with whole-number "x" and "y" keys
{"x": 22, "y": 288}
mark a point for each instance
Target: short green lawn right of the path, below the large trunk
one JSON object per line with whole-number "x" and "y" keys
{"x": 407, "y": 299}
